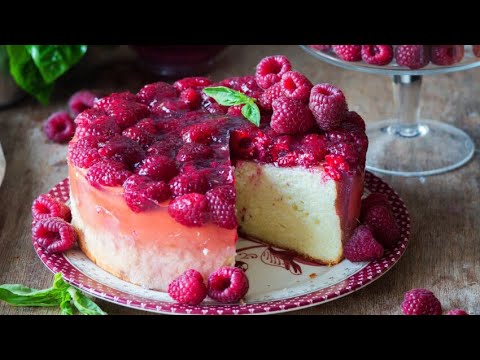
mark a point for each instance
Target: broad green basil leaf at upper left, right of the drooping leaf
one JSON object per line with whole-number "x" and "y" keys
{"x": 55, "y": 60}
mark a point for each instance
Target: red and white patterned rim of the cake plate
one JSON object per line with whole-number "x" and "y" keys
{"x": 365, "y": 276}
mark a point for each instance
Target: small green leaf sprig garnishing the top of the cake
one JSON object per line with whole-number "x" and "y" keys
{"x": 228, "y": 97}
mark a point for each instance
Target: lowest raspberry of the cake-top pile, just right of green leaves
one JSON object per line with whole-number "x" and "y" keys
{"x": 291, "y": 116}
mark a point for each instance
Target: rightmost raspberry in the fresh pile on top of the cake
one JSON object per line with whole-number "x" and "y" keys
{"x": 328, "y": 106}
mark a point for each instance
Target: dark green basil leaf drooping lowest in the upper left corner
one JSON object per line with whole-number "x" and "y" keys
{"x": 26, "y": 74}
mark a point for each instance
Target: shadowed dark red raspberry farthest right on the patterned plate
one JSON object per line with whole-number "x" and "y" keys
{"x": 383, "y": 225}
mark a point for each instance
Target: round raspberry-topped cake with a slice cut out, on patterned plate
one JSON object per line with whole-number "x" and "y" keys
{"x": 162, "y": 180}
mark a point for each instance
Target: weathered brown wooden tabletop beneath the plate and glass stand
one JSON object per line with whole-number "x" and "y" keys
{"x": 444, "y": 253}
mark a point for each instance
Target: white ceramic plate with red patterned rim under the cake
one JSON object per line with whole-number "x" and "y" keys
{"x": 279, "y": 280}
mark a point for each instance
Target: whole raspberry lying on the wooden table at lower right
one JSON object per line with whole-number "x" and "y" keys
{"x": 421, "y": 302}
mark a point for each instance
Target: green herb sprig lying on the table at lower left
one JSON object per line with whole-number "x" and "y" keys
{"x": 60, "y": 294}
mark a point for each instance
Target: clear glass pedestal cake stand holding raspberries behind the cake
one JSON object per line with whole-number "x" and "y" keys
{"x": 408, "y": 145}
